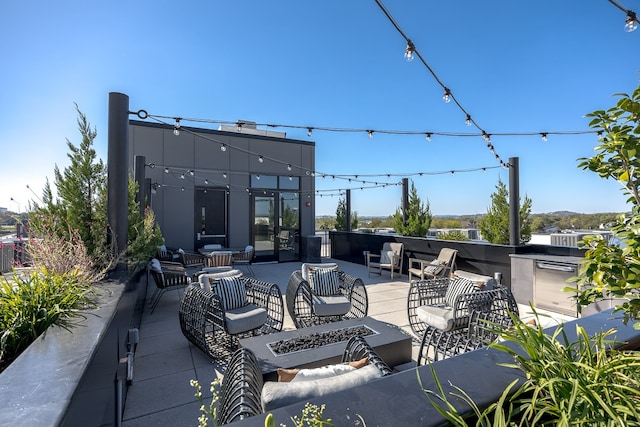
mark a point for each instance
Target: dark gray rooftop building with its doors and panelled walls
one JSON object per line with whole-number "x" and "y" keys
{"x": 236, "y": 186}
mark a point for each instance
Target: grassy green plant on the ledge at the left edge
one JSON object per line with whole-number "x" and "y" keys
{"x": 30, "y": 303}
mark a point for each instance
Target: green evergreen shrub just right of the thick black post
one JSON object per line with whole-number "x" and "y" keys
{"x": 144, "y": 234}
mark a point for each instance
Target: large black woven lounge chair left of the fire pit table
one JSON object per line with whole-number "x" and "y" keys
{"x": 222, "y": 307}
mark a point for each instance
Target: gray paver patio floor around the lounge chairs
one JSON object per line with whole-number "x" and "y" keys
{"x": 165, "y": 362}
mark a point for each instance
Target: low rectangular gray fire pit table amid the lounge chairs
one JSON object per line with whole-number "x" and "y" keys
{"x": 391, "y": 343}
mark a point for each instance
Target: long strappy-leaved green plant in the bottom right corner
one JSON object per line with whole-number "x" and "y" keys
{"x": 580, "y": 382}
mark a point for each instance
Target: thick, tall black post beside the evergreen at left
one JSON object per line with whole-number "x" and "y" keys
{"x": 117, "y": 167}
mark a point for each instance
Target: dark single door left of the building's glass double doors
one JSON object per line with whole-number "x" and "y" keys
{"x": 210, "y": 220}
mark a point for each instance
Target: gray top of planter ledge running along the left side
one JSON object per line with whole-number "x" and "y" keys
{"x": 37, "y": 388}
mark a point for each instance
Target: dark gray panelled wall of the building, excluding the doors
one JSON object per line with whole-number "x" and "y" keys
{"x": 198, "y": 150}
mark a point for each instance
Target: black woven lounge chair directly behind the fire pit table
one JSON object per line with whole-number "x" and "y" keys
{"x": 320, "y": 293}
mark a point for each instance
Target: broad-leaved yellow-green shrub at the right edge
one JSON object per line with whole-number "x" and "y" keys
{"x": 613, "y": 270}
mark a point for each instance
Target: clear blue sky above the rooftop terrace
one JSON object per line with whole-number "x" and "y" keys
{"x": 514, "y": 66}
